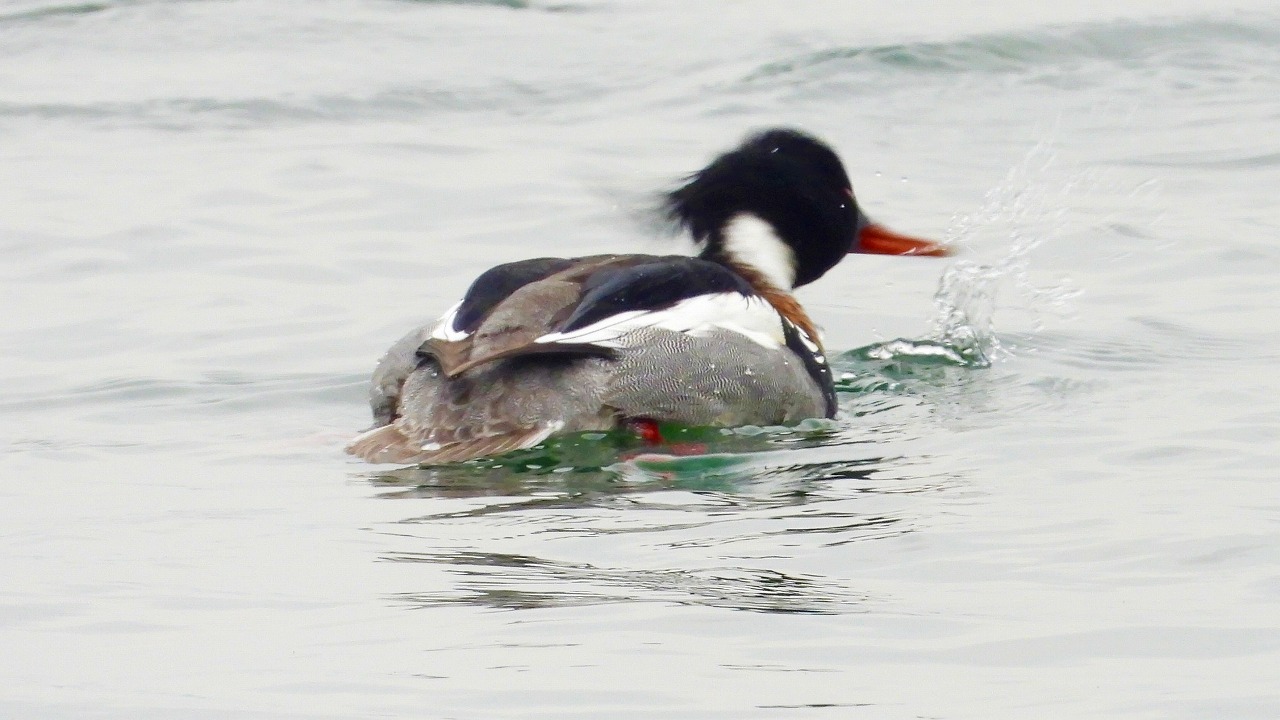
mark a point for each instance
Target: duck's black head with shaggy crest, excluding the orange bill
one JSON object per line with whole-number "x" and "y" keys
{"x": 789, "y": 180}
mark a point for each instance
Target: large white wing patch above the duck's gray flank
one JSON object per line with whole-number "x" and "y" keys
{"x": 748, "y": 316}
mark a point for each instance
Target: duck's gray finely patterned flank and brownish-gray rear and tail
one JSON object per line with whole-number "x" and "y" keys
{"x": 716, "y": 380}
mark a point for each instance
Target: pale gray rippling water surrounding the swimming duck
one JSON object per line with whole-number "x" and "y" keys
{"x": 1049, "y": 494}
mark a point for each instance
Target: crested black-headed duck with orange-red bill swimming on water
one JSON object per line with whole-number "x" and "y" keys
{"x": 566, "y": 345}
